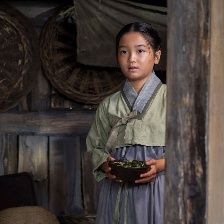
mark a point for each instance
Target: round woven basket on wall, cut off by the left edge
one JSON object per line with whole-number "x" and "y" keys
{"x": 19, "y": 57}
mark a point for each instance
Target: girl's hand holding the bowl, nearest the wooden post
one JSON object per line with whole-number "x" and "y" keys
{"x": 155, "y": 166}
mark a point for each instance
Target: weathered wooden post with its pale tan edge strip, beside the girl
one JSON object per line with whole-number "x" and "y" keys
{"x": 194, "y": 185}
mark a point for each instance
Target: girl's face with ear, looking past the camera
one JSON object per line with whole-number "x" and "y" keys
{"x": 136, "y": 57}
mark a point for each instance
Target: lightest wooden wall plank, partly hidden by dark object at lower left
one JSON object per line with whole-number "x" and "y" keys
{"x": 33, "y": 158}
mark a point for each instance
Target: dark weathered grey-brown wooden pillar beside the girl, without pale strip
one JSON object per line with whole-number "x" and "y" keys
{"x": 187, "y": 82}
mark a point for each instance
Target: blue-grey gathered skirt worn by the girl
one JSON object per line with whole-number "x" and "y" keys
{"x": 130, "y": 203}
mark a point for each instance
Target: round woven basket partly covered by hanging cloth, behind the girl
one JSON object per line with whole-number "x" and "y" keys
{"x": 85, "y": 84}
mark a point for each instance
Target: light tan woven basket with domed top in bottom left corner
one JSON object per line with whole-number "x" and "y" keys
{"x": 27, "y": 215}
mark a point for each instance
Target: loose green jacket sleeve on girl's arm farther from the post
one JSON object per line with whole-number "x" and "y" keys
{"x": 96, "y": 140}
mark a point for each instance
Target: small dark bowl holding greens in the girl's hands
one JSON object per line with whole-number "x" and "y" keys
{"x": 127, "y": 173}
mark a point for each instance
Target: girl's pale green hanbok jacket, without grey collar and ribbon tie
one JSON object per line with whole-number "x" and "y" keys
{"x": 147, "y": 128}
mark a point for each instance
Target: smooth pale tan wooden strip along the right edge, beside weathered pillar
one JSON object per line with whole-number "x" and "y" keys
{"x": 216, "y": 117}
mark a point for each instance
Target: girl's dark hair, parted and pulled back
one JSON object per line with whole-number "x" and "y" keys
{"x": 146, "y": 29}
